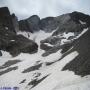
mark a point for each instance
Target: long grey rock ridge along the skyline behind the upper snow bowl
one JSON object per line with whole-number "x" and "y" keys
{"x": 67, "y": 22}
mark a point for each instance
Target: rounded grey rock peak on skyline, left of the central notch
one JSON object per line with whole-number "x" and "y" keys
{"x": 31, "y": 24}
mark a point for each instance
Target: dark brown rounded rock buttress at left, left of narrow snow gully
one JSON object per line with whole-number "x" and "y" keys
{"x": 15, "y": 44}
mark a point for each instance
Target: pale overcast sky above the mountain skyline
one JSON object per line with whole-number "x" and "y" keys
{"x": 44, "y": 8}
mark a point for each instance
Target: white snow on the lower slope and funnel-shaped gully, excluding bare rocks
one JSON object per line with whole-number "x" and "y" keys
{"x": 56, "y": 79}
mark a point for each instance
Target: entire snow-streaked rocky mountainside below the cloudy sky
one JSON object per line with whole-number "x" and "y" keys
{"x": 52, "y": 53}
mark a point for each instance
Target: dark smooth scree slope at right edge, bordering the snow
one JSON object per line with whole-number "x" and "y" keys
{"x": 81, "y": 64}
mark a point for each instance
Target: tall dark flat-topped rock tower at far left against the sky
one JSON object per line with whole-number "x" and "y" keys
{"x": 6, "y": 19}
